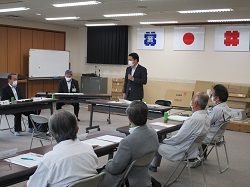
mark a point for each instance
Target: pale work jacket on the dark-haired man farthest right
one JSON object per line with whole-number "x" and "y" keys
{"x": 217, "y": 114}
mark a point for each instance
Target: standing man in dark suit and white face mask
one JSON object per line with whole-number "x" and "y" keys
{"x": 135, "y": 78}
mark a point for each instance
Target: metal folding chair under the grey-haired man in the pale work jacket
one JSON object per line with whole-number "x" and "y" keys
{"x": 185, "y": 159}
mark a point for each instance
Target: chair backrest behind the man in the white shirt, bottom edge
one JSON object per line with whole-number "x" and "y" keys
{"x": 93, "y": 181}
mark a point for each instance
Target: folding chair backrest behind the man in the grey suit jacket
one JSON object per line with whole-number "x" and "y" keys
{"x": 141, "y": 162}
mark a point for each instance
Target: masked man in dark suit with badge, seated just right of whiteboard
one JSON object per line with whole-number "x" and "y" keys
{"x": 68, "y": 85}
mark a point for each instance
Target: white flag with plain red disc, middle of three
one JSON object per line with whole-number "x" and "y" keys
{"x": 189, "y": 38}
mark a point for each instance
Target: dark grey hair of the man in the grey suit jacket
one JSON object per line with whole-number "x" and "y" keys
{"x": 138, "y": 113}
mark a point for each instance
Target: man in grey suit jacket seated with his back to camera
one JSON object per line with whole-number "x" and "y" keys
{"x": 140, "y": 142}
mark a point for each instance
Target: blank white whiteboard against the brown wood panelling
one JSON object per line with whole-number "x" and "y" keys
{"x": 47, "y": 63}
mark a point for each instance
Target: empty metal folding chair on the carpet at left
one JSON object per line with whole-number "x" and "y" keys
{"x": 36, "y": 133}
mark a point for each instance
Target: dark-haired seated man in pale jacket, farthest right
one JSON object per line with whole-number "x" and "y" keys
{"x": 218, "y": 114}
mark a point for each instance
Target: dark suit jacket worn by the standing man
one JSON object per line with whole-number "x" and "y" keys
{"x": 134, "y": 89}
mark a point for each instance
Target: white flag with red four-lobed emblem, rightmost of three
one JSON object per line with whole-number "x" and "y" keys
{"x": 232, "y": 38}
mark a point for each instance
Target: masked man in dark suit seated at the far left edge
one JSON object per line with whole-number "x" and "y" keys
{"x": 12, "y": 90}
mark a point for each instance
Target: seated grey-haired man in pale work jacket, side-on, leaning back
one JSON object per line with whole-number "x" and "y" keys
{"x": 198, "y": 124}
